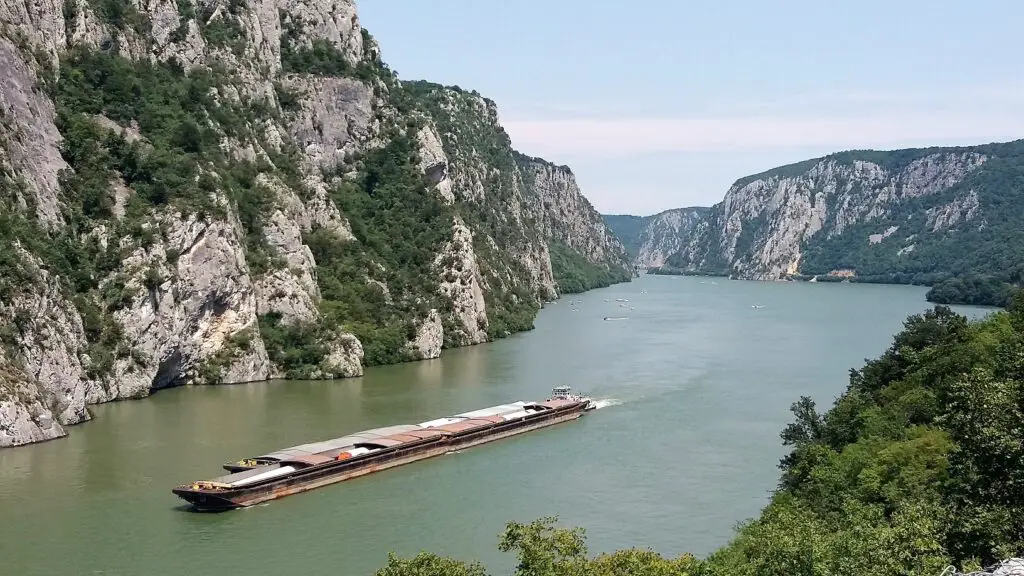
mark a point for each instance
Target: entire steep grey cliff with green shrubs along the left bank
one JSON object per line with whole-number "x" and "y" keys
{"x": 225, "y": 192}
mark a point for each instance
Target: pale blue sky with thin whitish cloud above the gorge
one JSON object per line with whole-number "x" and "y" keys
{"x": 664, "y": 104}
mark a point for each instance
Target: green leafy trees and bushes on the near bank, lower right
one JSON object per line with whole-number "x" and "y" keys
{"x": 918, "y": 466}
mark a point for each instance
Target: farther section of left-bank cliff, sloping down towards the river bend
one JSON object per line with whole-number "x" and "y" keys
{"x": 532, "y": 208}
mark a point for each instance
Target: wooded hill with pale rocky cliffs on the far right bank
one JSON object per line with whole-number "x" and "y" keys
{"x": 910, "y": 216}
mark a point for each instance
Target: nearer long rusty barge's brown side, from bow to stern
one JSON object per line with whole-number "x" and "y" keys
{"x": 333, "y": 472}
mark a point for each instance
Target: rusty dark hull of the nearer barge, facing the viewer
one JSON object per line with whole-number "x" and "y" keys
{"x": 243, "y": 498}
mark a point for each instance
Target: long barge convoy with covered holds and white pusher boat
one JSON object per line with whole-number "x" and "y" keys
{"x": 312, "y": 466}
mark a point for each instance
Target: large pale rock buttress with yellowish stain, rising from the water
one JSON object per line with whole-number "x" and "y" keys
{"x": 187, "y": 313}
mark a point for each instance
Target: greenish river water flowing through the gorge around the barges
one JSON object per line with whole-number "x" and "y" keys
{"x": 701, "y": 383}
